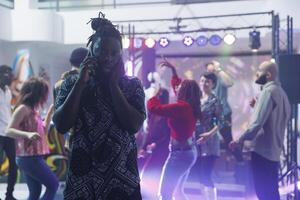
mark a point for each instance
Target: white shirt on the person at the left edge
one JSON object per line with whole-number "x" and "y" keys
{"x": 5, "y": 109}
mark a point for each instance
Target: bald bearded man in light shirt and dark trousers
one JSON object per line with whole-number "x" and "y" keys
{"x": 267, "y": 130}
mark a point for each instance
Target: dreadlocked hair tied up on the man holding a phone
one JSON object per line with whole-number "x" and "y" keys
{"x": 103, "y": 29}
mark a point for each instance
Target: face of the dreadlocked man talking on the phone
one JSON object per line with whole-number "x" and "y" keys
{"x": 108, "y": 53}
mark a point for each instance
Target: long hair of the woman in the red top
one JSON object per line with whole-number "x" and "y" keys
{"x": 191, "y": 93}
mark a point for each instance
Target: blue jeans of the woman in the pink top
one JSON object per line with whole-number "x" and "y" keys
{"x": 36, "y": 173}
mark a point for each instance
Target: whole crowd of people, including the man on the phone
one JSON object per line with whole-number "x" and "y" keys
{"x": 100, "y": 110}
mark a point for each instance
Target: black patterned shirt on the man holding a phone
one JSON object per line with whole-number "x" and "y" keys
{"x": 103, "y": 160}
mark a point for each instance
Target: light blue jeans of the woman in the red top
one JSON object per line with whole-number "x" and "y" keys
{"x": 175, "y": 172}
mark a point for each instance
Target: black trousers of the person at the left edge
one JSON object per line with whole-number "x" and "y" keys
{"x": 8, "y": 146}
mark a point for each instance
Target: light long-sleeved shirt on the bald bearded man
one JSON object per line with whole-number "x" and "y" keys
{"x": 268, "y": 123}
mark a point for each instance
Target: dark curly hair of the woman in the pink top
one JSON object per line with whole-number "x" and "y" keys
{"x": 34, "y": 92}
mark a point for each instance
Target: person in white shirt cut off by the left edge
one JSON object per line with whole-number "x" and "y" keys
{"x": 7, "y": 144}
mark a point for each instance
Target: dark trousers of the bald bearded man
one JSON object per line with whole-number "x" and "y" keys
{"x": 265, "y": 176}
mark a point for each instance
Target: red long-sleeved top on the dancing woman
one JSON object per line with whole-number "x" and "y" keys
{"x": 181, "y": 119}
